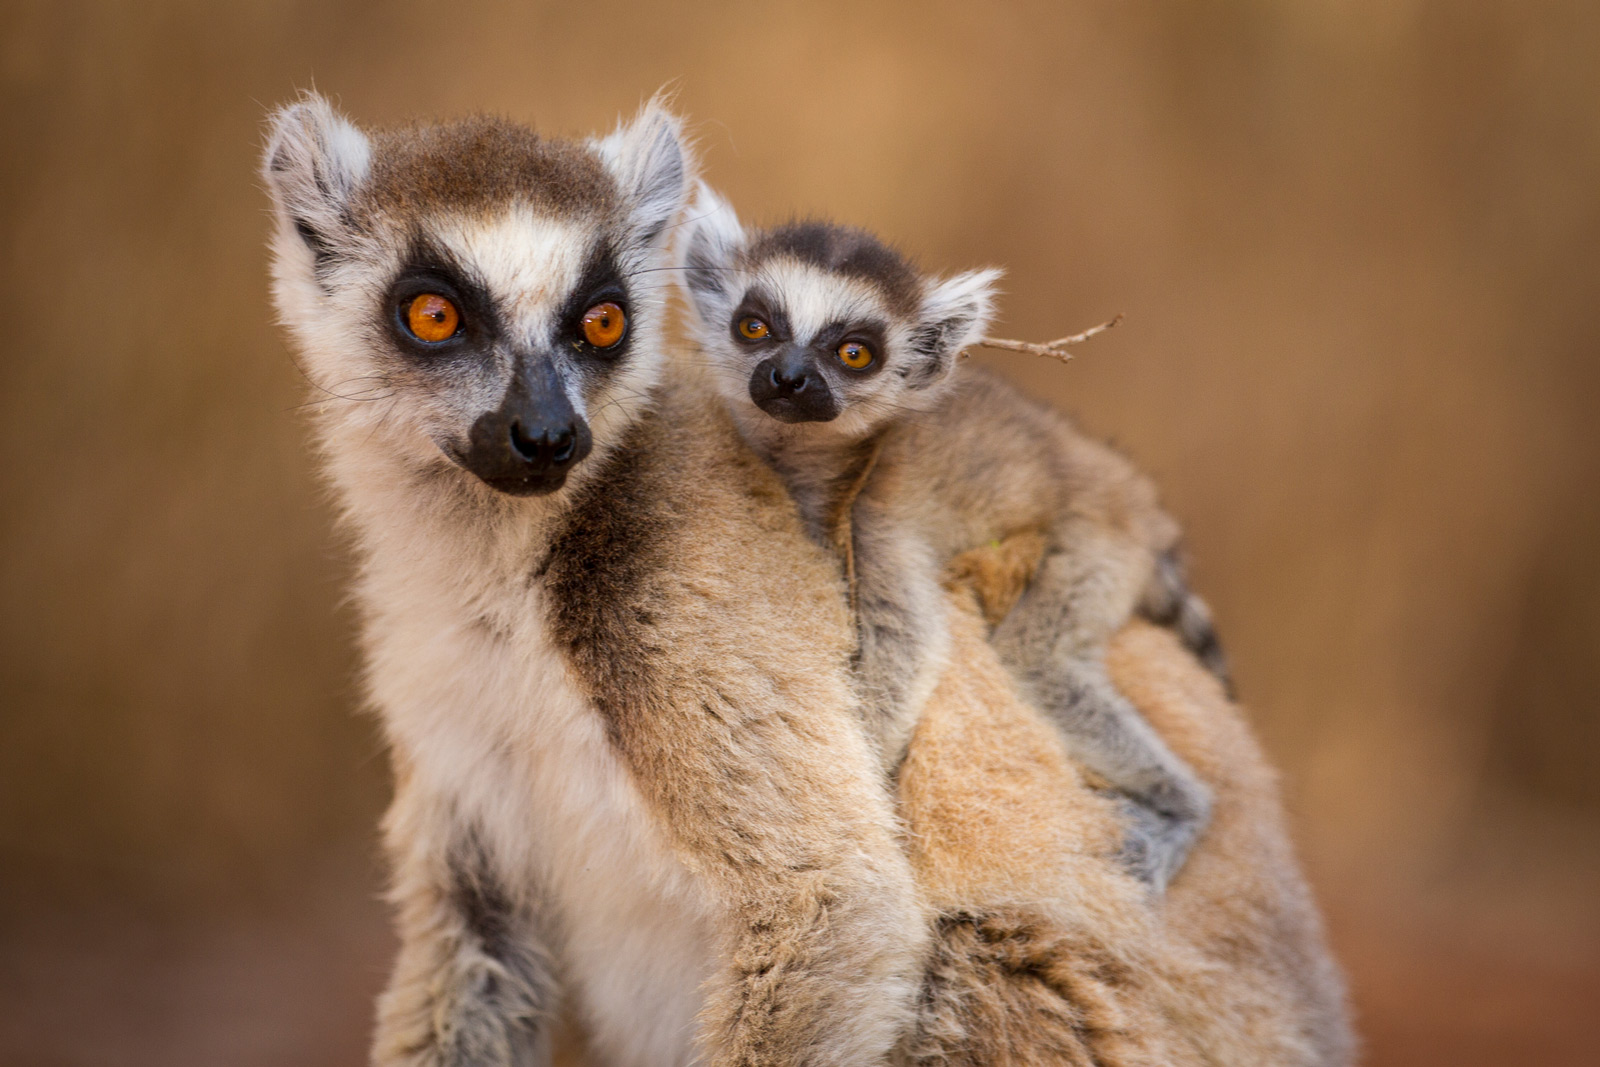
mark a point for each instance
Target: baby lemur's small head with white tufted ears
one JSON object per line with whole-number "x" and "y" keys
{"x": 823, "y": 326}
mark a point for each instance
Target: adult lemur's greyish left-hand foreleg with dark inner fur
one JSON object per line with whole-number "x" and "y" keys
{"x": 473, "y": 985}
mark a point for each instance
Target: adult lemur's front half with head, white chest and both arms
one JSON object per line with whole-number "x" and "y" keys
{"x": 612, "y": 668}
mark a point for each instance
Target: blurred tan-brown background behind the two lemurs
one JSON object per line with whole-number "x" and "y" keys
{"x": 1359, "y": 250}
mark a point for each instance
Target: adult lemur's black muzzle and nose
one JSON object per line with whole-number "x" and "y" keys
{"x": 529, "y": 444}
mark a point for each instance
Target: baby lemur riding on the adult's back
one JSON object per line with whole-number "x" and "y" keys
{"x": 839, "y": 362}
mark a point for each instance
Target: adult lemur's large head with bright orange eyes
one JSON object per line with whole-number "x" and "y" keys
{"x": 481, "y": 290}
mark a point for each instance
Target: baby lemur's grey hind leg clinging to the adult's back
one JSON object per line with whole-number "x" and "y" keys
{"x": 1086, "y": 589}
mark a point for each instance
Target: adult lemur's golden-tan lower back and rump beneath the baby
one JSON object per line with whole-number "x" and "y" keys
{"x": 1044, "y": 951}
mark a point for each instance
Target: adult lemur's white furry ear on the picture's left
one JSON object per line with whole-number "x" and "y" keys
{"x": 313, "y": 166}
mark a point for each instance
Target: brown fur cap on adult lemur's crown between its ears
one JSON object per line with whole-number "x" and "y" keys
{"x": 481, "y": 162}
